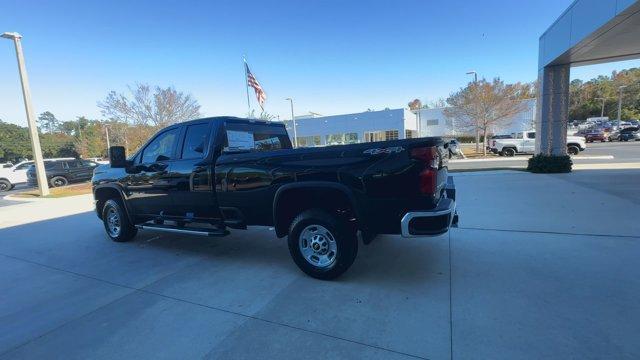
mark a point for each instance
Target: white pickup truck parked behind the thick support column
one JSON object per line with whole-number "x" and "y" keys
{"x": 524, "y": 142}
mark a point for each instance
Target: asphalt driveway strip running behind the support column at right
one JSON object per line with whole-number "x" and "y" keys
{"x": 622, "y": 152}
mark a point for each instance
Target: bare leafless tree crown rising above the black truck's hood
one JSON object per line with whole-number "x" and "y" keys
{"x": 147, "y": 106}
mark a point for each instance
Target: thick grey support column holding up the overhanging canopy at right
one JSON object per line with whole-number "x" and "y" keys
{"x": 552, "y": 110}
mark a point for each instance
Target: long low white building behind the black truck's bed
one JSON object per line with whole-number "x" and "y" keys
{"x": 391, "y": 124}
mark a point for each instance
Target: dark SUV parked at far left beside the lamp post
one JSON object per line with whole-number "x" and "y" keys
{"x": 63, "y": 172}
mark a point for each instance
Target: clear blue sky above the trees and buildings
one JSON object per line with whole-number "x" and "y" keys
{"x": 331, "y": 56}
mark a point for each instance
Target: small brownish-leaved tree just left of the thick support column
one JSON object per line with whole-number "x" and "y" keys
{"x": 483, "y": 105}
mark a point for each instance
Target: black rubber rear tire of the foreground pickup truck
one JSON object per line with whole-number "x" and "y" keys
{"x": 341, "y": 237}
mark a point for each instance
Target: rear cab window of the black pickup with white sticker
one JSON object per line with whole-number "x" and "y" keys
{"x": 255, "y": 137}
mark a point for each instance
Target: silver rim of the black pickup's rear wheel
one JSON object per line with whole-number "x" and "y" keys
{"x": 318, "y": 246}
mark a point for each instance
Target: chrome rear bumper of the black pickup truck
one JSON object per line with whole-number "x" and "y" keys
{"x": 435, "y": 221}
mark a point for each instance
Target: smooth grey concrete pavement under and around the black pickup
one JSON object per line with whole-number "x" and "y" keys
{"x": 542, "y": 266}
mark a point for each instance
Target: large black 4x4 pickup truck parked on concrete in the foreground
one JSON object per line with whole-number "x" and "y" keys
{"x": 205, "y": 176}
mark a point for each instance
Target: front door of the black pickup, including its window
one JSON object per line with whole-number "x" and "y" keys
{"x": 149, "y": 180}
